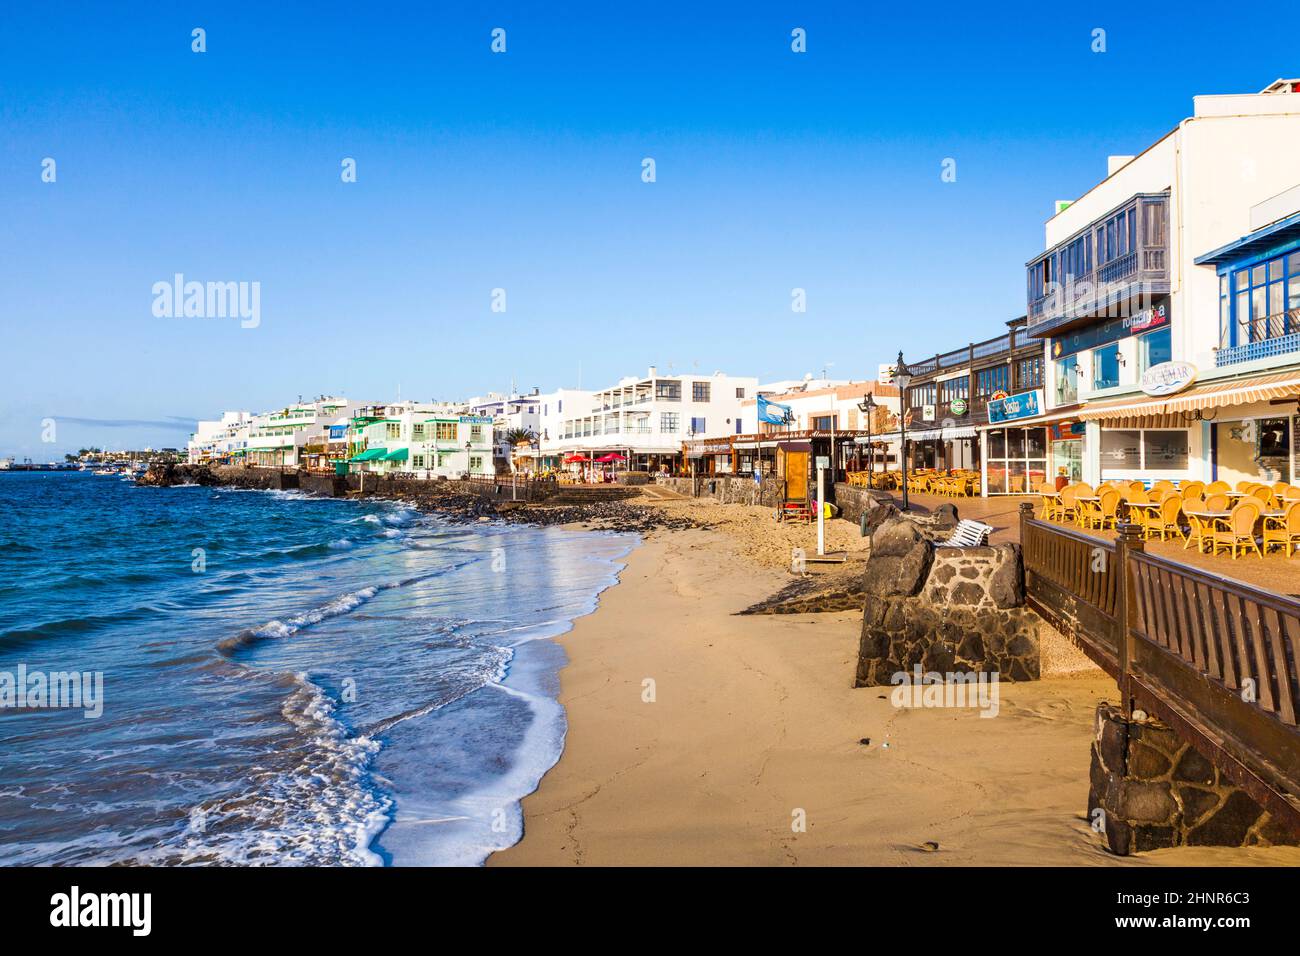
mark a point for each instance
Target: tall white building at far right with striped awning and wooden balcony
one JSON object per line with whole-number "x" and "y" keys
{"x": 1142, "y": 309}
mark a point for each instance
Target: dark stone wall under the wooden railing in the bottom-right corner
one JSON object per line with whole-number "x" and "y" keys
{"x": 1156, "y": 791}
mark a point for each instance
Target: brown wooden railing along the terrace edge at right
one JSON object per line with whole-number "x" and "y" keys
{"x": 1212, "y": 657}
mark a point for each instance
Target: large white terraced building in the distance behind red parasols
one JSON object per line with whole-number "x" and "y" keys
{"x": 648, "y": 419}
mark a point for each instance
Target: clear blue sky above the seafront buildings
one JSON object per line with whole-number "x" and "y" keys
{"x": 523, "y": 171}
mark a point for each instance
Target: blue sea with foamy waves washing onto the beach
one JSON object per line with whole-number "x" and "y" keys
{"x": 324, "y": 684}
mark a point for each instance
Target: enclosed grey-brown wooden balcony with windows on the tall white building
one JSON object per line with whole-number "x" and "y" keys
{"x": 1113, "y": 287}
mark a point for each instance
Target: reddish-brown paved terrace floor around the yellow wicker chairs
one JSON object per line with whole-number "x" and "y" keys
{"x": 1273, "y": 574}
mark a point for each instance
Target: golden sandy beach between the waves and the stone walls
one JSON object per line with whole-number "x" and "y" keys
{"x": 755, "y": 726}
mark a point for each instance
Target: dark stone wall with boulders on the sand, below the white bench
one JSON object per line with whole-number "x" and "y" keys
{"x": 952, "y": 611}
